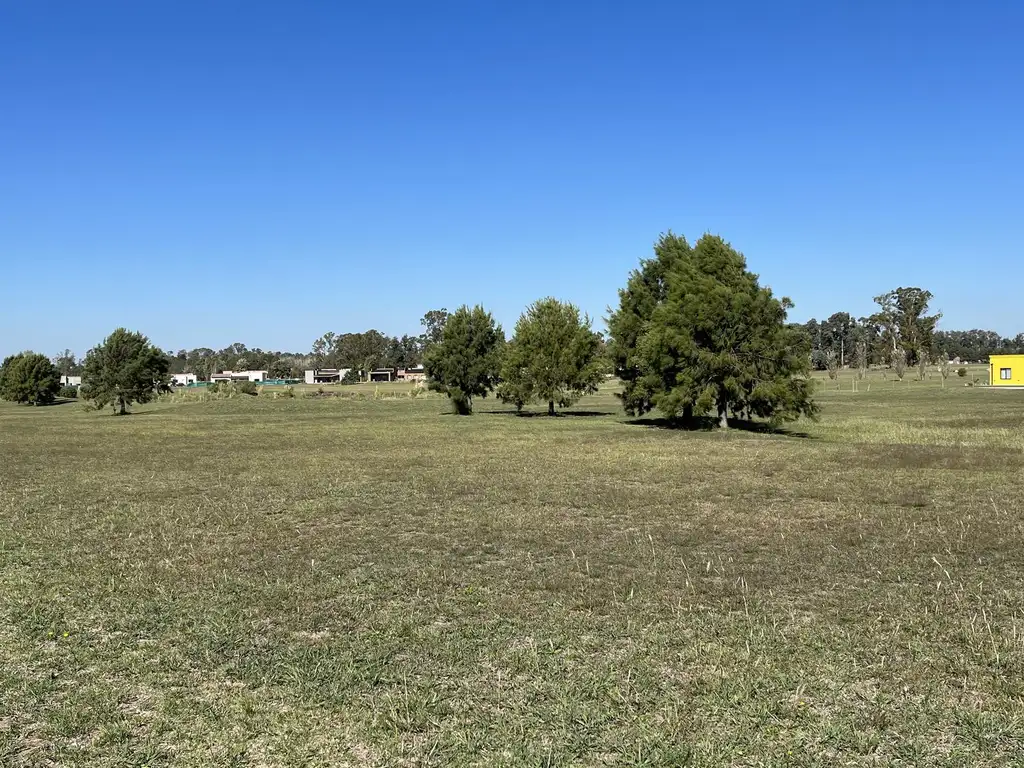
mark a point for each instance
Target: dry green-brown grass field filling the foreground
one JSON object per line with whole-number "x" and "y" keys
{"x": 333, "y": 582}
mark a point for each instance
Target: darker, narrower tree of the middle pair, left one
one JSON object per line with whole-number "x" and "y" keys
{"x": 466, "y": 363}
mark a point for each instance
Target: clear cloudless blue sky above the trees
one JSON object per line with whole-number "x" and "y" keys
{"x": 267, "y": 172}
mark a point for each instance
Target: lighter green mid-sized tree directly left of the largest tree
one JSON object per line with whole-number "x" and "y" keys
{"x": 553, "y": 358}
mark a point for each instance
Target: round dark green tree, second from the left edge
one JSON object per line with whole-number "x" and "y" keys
{"x": 123, "y": 370}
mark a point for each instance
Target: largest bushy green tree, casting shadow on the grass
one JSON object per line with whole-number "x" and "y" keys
{"x": 698, "y": 334}
